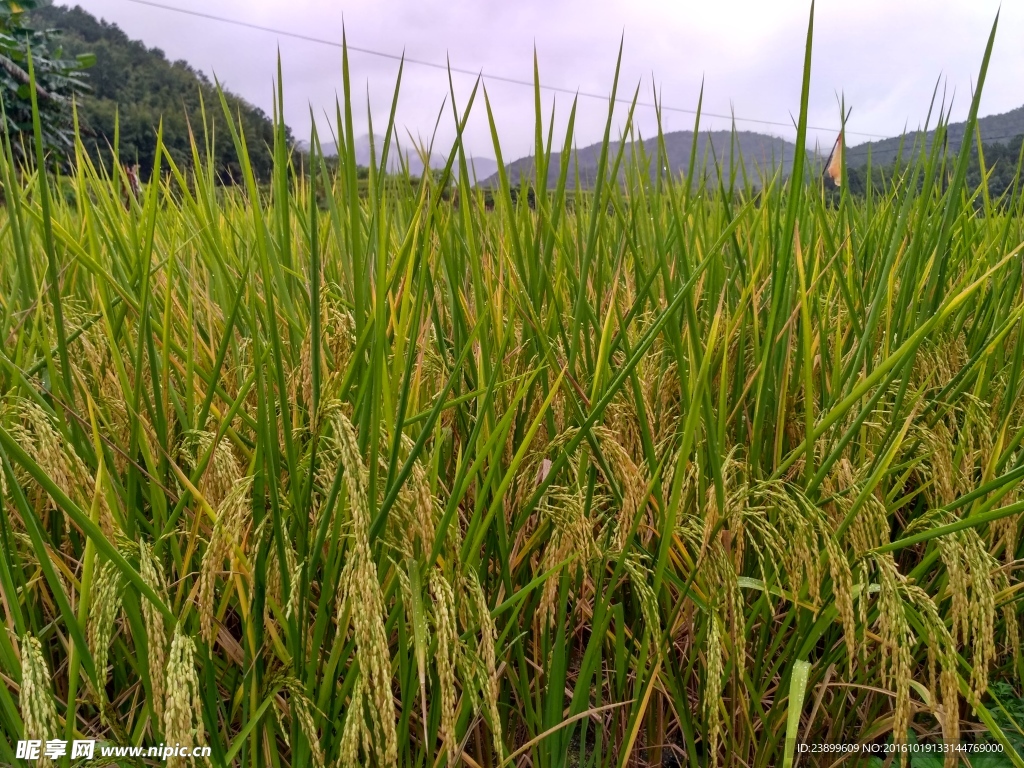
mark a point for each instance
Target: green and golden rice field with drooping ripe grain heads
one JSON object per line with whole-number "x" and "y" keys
{"x": 686, "y": 474}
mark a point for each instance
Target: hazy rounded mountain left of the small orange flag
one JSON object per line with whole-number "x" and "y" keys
{"x": 761, "y": 155}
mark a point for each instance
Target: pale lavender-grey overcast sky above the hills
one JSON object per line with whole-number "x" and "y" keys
{"x": 885, "y": 57}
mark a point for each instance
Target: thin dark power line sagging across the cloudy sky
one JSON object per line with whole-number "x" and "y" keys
{"x": 481, "y": 73}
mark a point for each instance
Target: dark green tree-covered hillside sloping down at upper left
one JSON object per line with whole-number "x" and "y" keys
{"x": 137, "y": 88}
